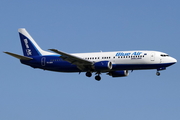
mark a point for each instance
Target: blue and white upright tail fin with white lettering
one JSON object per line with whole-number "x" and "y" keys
{"x": 29, "y": 46}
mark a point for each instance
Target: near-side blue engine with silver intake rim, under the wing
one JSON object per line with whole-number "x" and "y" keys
{"x": 102, "y": 66}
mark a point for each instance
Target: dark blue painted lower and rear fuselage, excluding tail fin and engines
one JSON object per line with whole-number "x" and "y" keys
{"x": 55, "y": 63}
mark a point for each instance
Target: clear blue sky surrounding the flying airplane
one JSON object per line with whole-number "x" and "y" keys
{"x": 89, "y": 26}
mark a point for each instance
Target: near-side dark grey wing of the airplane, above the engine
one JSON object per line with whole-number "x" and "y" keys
{"x": 73, "y": 59}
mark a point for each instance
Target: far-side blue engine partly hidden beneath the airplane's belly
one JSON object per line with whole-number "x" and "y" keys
{"x": 120, "y": 73}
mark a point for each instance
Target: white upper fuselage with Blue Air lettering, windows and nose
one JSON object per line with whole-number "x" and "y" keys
{"x": 129, "y": 57}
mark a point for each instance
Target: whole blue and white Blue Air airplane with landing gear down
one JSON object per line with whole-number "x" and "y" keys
{"x": 115, "y": 64}
